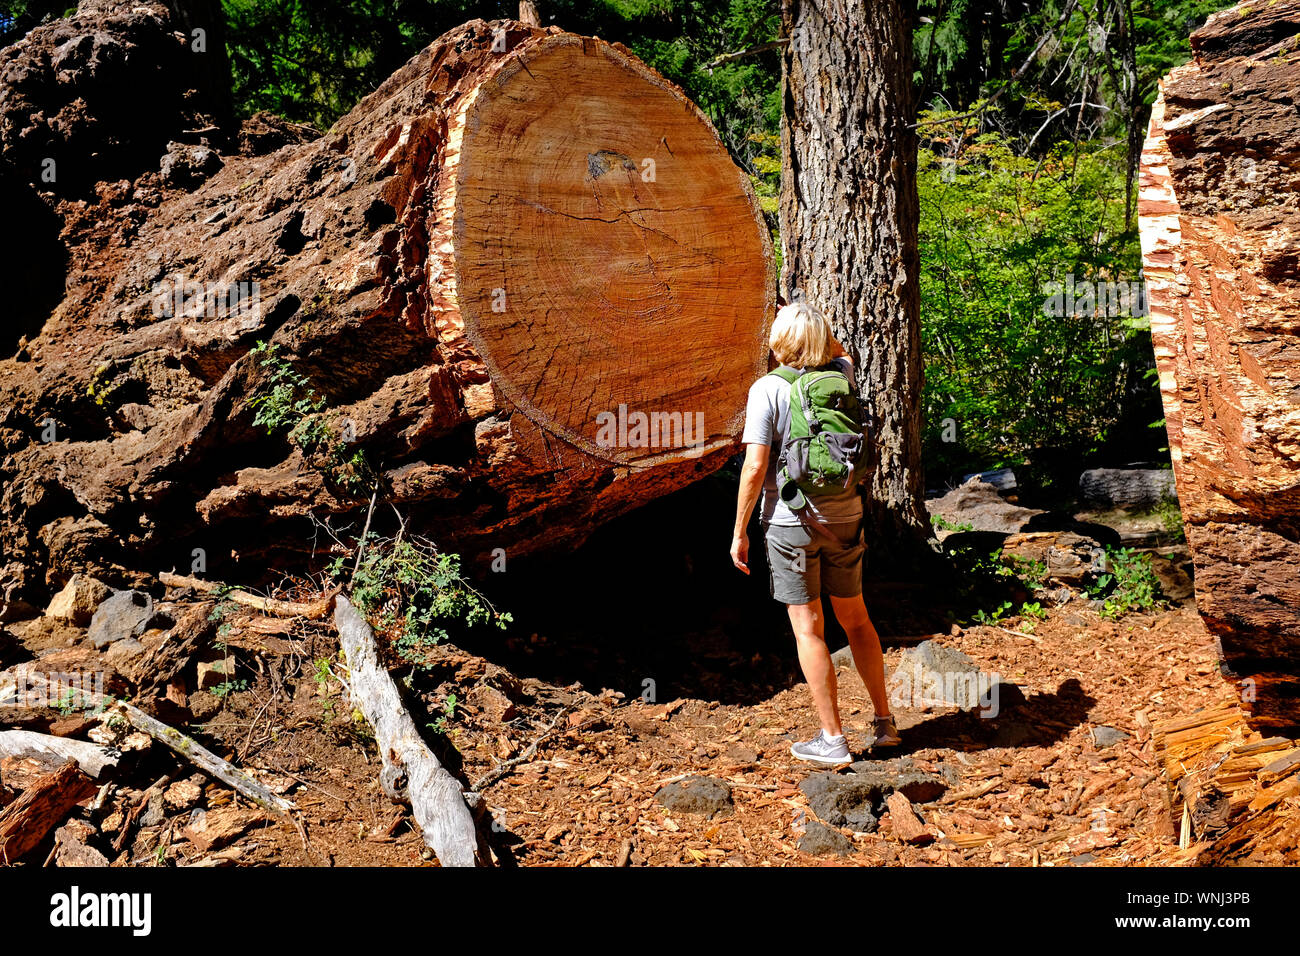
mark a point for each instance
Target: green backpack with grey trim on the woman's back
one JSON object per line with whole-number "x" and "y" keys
{"x": 827, "y": 451}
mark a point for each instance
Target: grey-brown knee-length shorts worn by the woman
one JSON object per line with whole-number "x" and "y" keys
{"x": 811, "y": 561}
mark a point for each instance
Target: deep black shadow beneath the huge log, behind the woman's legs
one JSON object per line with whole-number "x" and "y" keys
{"x": 653, "y": 598}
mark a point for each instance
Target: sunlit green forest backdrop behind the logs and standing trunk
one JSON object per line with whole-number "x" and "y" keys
{"x": 1030, "y": 118}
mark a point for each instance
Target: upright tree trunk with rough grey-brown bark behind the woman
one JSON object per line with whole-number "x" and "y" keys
{"x": 850, "y": 219}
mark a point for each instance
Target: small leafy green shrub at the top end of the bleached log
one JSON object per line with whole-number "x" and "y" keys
{"x": 414, "y": 592}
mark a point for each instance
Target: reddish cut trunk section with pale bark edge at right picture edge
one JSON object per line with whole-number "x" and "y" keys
{"x": 1221, "y": 250}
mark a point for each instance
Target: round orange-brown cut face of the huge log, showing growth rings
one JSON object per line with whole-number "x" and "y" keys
{"x": 596, "y": 280}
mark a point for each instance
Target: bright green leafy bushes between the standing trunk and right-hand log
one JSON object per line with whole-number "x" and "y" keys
{"x": 998, "y": 230}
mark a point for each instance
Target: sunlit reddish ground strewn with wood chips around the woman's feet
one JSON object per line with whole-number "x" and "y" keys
{"x": 1029, "y": 788}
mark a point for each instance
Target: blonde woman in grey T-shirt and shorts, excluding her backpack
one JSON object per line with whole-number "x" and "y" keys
{"x": 814, "y": 547}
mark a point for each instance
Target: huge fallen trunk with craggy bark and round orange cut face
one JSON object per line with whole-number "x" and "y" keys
{"x": 522, "y": 288}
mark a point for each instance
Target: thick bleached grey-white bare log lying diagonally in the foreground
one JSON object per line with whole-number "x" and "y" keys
{"x": 411, "y": 772}
